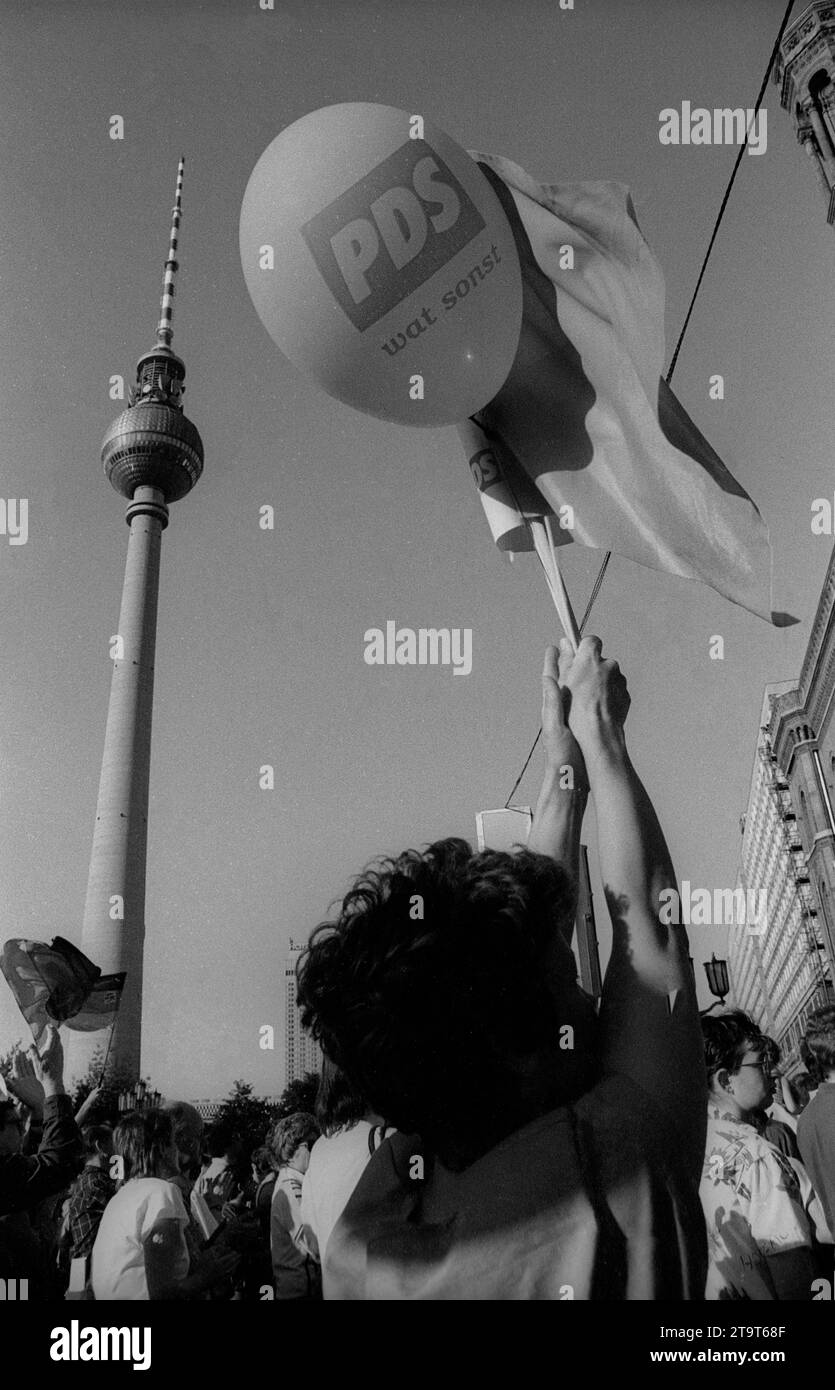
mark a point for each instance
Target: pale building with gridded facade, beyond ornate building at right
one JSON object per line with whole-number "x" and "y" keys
{"x": 777, "y": 964}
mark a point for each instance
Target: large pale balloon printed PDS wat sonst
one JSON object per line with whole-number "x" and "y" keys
{"x": 381, "y": 262}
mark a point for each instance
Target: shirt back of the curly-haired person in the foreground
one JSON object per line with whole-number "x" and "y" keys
{"x": 594, "y": 1203}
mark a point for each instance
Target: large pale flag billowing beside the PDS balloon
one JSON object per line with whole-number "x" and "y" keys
{"x": 586, "y": 429}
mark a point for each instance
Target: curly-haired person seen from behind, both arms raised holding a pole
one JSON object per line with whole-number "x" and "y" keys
{"x": 543, "y": 1152}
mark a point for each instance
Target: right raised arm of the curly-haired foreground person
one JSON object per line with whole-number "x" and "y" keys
{"x": 650, "y": 1015}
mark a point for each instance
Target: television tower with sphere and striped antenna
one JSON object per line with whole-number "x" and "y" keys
{"x": 154, "y": 457}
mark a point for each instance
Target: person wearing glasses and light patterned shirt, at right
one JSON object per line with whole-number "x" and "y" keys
{"x": 759, "y": 1206}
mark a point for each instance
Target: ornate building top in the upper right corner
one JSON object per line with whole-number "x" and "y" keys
{"x": 804, "y": 73}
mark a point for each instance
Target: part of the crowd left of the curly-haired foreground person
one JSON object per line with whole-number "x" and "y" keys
{"x": 162, "y": 1207}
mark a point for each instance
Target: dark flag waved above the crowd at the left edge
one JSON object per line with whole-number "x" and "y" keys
{"x": 58, "y": 985}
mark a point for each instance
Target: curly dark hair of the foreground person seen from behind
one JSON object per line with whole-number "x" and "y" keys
{"x": 433, "y": 983}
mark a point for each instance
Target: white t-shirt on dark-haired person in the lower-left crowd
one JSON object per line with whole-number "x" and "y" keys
{"x": 119, "y": 1257}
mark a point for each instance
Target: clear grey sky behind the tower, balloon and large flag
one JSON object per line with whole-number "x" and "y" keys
{"x": 261, "y": 637}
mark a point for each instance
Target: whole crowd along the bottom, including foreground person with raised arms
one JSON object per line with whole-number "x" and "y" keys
{"x": 483, "y": 1131}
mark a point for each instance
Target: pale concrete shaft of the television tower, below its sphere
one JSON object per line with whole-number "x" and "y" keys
{"x": 113, "y": 933}
